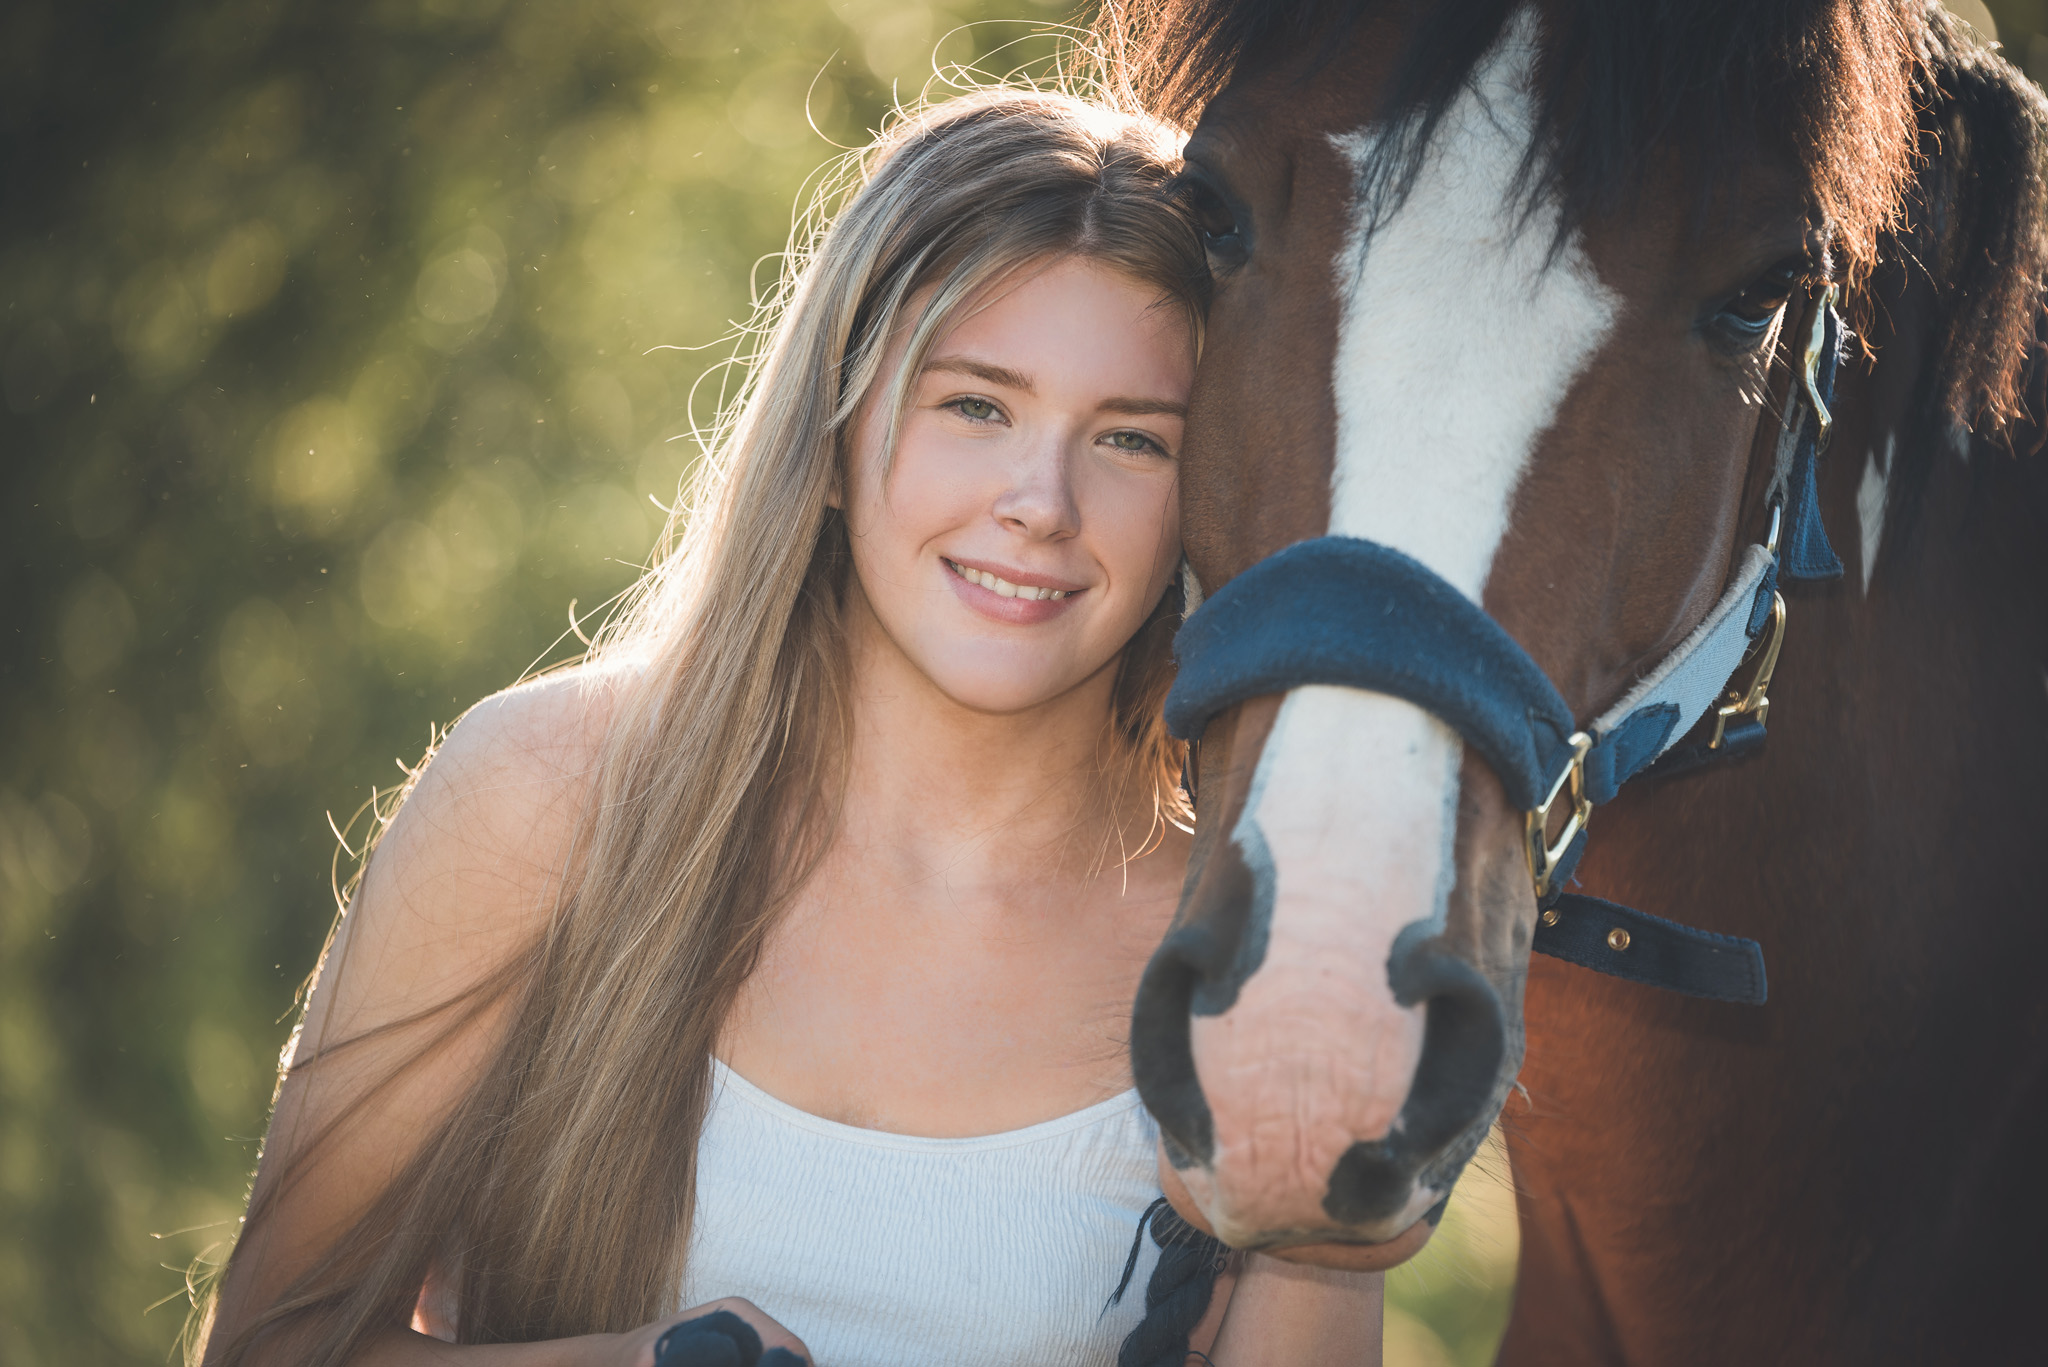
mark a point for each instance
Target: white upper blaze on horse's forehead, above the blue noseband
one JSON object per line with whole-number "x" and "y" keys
{"x": 1459, "y": 335}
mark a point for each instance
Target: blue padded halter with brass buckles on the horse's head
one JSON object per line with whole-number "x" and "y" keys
{"x": 1359, "y": 614}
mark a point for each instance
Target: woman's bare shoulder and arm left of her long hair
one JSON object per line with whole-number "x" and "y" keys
{"x": 458, "y": 888}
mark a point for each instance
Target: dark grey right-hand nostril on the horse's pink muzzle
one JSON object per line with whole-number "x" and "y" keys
{"x": 1465, "y": 1038}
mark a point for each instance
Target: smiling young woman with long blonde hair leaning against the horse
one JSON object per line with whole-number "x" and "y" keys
{"x": 779, "y": 958}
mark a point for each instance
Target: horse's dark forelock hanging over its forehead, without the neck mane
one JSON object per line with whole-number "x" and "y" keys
{"x": 1625, "y": 83}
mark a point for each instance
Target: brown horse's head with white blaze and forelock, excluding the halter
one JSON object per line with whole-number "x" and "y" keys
{"x": 1510, "y": 290}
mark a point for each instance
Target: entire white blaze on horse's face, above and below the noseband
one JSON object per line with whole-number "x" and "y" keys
{"x": 1459, "y": 339}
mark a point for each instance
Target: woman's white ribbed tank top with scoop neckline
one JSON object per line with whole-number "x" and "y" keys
{"x": 892, "y": 1251}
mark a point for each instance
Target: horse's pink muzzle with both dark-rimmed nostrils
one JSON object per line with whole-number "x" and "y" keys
{"x": 1308, "y": 1161}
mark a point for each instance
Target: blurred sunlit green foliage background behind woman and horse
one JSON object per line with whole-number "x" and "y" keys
{"x": 335, "y": 370}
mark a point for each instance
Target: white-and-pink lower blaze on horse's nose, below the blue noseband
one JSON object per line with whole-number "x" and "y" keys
{"x": 1316, "y": 1054}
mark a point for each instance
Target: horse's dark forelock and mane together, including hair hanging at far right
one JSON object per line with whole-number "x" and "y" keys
{"x": 1916, "y": 142}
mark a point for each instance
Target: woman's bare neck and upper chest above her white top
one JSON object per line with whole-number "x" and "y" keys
{"x": 964, "y": 956}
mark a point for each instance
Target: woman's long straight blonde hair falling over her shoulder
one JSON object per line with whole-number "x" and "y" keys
{"x": 556, "y": 1198}
